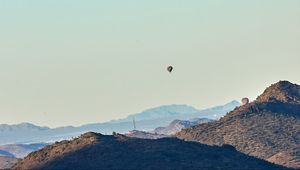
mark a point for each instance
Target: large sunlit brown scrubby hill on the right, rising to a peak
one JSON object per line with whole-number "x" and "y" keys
{"x": 268, "y": 128}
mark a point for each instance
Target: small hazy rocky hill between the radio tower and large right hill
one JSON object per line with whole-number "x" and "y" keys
{"x": 177, "y": 125}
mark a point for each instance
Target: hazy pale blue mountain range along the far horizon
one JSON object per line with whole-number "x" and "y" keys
{"x": 25, "y": 133}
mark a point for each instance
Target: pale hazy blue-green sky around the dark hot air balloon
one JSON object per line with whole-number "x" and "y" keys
{"x": 70, "y": 62}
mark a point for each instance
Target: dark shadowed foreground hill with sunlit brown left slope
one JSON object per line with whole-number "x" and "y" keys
{"x": 96, "y": 151}
